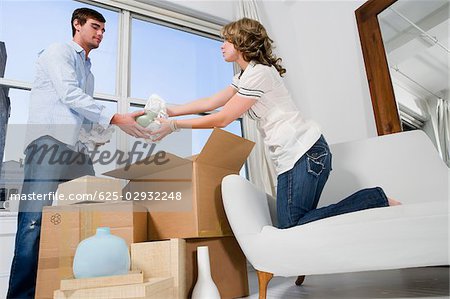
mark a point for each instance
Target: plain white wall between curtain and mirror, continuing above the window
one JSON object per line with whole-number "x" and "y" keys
{"x": 319, "y": 44}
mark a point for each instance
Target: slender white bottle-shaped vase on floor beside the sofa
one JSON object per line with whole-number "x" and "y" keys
{"x": 204, "y": 288}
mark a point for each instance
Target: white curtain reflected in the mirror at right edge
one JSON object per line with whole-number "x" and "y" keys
{"x": 440, "y": 117}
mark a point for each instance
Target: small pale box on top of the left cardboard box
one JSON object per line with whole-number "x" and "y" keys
{"x": 89, "y": 188}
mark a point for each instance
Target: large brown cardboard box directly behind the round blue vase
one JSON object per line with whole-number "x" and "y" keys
{"x": 64, "y": 227}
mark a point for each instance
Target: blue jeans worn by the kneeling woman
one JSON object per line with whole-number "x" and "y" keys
{"x": 299, "y": 190}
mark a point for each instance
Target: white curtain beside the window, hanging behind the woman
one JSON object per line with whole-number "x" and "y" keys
{"x": 262, "y": 171}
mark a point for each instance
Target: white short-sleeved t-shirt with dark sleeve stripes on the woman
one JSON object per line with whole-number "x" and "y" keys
{"x": 287, "y": 135}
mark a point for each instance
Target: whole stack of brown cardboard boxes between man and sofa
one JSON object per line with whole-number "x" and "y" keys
{"x": 184, "y": 203}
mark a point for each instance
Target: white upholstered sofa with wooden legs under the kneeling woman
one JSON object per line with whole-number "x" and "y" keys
{"x": 414, "y": 234}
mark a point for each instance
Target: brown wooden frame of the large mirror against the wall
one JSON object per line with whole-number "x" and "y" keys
{"x": 381, "y": 91}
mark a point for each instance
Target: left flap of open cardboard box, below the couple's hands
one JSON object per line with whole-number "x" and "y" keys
{"x": 140, "y": 170}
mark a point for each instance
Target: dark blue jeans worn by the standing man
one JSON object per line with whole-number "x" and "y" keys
{"x": 44, "y": 171}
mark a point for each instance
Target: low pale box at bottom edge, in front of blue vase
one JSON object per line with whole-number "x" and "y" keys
{"x": 157, "y": 288}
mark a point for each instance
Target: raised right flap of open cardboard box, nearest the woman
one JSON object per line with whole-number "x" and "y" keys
{"x": 226, "y": 150}
